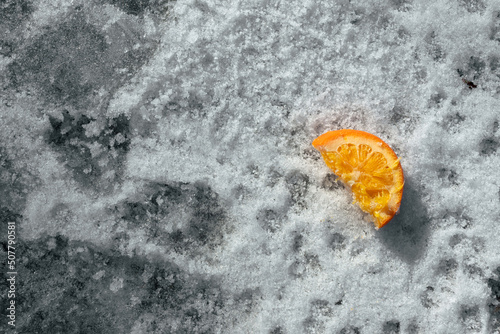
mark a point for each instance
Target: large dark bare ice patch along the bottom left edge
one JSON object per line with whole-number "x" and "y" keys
{"x": 91, "y": 289}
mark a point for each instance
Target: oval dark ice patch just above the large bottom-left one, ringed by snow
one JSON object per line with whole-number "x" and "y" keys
{"x": 179, "y": 215}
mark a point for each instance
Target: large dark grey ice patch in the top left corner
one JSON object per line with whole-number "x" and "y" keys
{"x": 72, "y": 62}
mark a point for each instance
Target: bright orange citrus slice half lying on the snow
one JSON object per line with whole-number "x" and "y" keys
{"x": 369, "y": 167}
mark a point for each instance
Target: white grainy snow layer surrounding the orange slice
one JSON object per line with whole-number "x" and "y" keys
{"x": 232, "y": 97}
